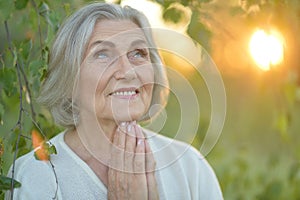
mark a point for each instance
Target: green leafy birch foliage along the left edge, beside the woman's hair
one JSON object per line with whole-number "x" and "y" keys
{"x": 24, "y": 60}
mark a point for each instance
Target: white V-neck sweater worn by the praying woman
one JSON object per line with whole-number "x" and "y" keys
{"x": 182, "y": 174}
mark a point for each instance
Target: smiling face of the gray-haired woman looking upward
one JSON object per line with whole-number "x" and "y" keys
{"x": 116, "y": 76}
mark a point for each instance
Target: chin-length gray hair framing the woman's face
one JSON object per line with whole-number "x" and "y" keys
{"x": 67, "y": 54}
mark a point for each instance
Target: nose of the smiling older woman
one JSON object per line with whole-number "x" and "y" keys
{"x": 125, "y": 70}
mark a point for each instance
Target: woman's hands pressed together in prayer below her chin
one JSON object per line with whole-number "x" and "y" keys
{"x": 132, "y": 165}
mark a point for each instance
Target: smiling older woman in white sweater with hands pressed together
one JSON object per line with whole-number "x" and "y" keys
{"x": 104, "y": 76}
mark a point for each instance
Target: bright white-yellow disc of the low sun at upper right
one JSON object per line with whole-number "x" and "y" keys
{"x": 266, "y": 49}
